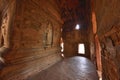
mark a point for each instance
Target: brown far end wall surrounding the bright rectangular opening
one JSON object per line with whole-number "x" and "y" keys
{"x": 72, "y": 39}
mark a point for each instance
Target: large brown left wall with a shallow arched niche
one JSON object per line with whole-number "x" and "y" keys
{"x": 34, "y": 39}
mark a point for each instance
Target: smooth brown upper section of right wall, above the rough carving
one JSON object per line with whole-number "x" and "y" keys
{"x": 107, "y": 14}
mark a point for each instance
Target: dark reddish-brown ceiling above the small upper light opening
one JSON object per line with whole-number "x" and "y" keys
{"x": 75, "y": 12}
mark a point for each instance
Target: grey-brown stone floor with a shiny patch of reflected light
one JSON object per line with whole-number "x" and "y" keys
{"x": 75, "y": 68}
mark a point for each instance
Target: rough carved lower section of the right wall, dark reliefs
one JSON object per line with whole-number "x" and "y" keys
{"x": 110, "y": 54}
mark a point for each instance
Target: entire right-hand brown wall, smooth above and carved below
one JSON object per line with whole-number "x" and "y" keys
{"x": 108, "y": 22}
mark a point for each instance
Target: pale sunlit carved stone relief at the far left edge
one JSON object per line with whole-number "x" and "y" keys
{"x": 4, "y": 41}
